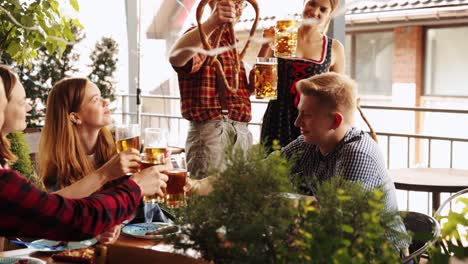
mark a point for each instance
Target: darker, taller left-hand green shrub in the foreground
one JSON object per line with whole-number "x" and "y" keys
{"x": 241, "y": 221}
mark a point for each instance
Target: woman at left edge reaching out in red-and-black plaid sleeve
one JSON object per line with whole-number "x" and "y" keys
{"x": 27, "y": 211}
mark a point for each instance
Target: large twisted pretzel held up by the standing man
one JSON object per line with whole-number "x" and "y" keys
{"x": 219, "y": 32}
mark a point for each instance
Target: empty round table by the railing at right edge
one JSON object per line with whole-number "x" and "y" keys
{"x": 432, "y": 180}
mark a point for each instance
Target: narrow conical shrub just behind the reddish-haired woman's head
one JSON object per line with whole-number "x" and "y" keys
{"x": 104, "y": 63}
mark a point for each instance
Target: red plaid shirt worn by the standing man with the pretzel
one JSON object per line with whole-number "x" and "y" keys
{"x": 199, "y": 95}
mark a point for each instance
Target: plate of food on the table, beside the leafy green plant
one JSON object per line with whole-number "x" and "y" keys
{"x": 155, "y": 230}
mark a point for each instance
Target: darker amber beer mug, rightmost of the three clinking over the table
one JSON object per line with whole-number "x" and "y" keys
{"x": 175, "y": 195}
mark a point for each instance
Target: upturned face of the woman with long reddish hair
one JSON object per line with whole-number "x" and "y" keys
{"x": 94, "y": 110}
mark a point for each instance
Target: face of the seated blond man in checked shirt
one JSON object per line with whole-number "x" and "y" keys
{"x": 314, "y": 121}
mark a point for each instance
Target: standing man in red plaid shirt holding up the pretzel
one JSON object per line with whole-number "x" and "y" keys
{"x": 202, "y": 95}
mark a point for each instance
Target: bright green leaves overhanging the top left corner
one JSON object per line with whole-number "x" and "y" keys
{"x": 27, "y": 26}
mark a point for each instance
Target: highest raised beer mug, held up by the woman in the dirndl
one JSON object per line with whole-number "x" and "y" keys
{"x": 285, "y": 38}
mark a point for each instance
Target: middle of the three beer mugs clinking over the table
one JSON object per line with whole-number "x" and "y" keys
{"x": 154, "y": 153}
